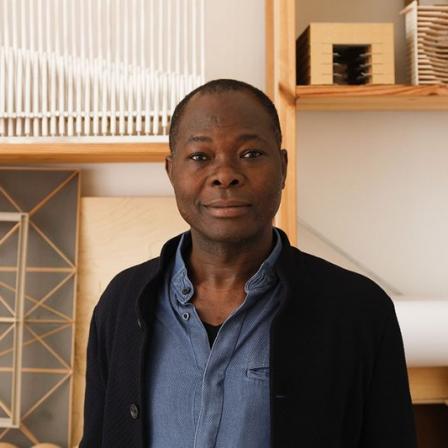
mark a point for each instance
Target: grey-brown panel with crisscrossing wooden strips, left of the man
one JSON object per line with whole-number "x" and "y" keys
{"x": 44, "y": 327}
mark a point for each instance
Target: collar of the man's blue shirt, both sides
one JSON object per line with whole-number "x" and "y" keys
{"x": 262, "y": 280}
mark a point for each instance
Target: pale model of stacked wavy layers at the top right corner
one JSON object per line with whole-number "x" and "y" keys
{"x": 427, "y": 42}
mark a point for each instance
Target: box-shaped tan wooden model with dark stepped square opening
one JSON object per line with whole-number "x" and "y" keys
{"x": 346, "y": 53}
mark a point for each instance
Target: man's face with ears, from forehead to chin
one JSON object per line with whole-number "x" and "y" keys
{"x": 227, "y": 170}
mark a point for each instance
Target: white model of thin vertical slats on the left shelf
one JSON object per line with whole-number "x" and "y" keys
{"x": 95, "y": 69}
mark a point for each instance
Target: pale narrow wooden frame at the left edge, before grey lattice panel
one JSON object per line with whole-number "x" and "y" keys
{"x": 16, "y": 319}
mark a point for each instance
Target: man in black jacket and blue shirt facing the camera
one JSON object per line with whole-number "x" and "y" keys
{"x": 233, "y": 338}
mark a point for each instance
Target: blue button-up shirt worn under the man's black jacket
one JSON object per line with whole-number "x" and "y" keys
{"x": 206, "y": 397}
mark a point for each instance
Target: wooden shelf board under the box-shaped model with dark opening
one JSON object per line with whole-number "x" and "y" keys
{"x": 372, "y": 97}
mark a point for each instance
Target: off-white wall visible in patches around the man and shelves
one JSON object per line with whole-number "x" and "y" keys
{"x": 374, "y": 184}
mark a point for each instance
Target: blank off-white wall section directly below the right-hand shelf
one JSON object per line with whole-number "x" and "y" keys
{"x": 376, "y": 185}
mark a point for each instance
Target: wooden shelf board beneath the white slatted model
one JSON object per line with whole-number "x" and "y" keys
{"x": 20, "y": 153}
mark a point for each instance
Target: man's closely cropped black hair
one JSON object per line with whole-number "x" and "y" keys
{"x": 220, "y": 86}
